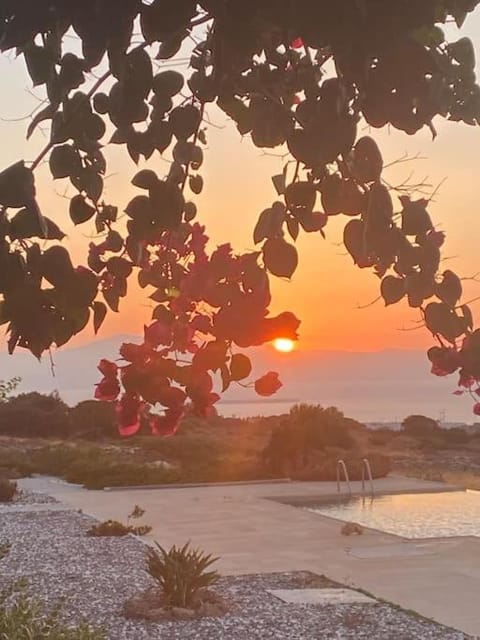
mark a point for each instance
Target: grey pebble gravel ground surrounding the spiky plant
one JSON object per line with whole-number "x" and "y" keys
{"x": 97, "y": 575}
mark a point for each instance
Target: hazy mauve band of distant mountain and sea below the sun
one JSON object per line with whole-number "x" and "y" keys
{"x": 373, "y": 386}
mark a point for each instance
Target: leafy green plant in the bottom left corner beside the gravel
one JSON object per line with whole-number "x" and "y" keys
{"x": 22, "y": 618}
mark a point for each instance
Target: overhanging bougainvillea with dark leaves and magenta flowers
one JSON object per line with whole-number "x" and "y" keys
{"x": 299, "y": 73}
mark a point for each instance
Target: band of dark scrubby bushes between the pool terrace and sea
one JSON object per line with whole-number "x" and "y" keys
{"x": 80, "y": 444}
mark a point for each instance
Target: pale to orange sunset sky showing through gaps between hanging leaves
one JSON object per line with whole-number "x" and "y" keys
{"x": 327, "y": 289}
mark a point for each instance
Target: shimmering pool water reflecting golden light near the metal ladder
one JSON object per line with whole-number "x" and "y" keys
{"x": 415, "y": 515}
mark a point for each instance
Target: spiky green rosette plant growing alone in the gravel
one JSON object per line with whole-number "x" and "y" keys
{"x": 181, "y": 573}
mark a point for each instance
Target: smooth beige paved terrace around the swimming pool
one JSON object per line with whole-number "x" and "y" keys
{"x": 438, "y": 578}
